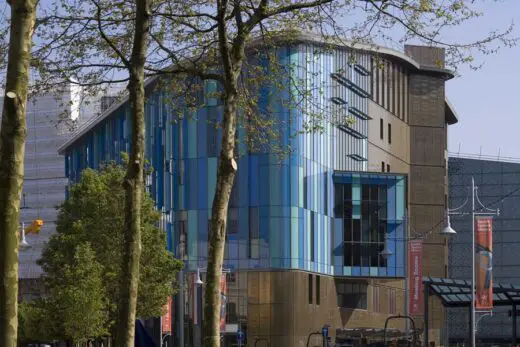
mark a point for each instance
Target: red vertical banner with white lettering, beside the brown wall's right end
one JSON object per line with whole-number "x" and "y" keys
{"x": 415, "y": 285}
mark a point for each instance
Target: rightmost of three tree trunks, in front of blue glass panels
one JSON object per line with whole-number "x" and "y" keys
{"x": 225, "y": 176}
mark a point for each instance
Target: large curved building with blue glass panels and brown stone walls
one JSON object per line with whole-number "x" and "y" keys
{"x": 304, "y": 231}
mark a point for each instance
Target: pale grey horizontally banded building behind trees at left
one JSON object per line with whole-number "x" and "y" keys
{"x": 51, "y": 119}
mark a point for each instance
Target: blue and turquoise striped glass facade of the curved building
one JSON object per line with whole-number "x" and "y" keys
{"x": 282, "y": 211}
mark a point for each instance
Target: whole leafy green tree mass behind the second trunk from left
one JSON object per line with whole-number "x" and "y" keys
{"x": 82, "y": 262}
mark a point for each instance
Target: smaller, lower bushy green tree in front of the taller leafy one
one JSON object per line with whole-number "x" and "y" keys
{"x": 76, "y": 310}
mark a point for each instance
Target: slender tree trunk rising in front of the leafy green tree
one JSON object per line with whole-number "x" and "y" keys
{"x": 134, "y": 181}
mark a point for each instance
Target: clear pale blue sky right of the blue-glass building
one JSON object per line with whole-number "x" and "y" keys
{"x": 487, "y": 100}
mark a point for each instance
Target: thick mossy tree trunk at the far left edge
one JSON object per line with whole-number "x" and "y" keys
{"x": 12, "y": 151}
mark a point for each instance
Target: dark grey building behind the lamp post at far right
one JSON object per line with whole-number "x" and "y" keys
{"x": 498, "y": 183}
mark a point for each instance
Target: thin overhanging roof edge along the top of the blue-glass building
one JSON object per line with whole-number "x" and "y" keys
{"x": 299, "y": 37}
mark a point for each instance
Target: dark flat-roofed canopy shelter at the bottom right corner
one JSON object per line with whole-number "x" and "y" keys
{"x": 457, "y": 293}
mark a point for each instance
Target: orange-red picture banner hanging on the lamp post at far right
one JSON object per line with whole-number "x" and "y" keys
{"x": 484, "y": 262}
